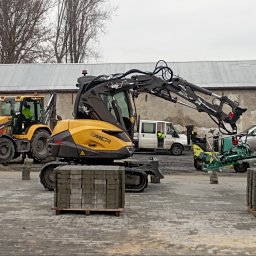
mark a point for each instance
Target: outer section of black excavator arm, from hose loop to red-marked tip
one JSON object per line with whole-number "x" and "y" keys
{"x": 222, "y": 110}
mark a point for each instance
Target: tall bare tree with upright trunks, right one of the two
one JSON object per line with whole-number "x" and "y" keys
{"x": 79, "y": 22}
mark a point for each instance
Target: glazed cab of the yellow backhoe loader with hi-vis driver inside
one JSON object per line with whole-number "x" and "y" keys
{"x": 14, "y": 106}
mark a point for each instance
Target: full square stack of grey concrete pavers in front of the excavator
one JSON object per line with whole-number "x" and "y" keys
{"x": 89, "y": 187}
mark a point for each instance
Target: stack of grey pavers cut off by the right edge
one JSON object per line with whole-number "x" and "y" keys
{"x": 251, "y": 190}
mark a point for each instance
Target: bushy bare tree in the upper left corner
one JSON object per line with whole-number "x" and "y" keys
{"x": 24, "y": 32}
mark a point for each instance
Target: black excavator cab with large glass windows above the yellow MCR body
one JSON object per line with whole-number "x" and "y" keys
{"x": 106, "y": 103}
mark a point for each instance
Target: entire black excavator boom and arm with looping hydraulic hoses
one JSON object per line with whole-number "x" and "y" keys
{"x": 161, "y": 83}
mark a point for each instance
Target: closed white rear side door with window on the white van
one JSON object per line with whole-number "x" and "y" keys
{"x": 147, "y": 135}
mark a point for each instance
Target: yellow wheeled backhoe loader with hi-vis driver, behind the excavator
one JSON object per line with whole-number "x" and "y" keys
{"x": 22, "y": 134}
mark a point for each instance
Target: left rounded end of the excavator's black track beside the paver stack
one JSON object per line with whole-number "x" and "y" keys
{"x": 47, "y": 177}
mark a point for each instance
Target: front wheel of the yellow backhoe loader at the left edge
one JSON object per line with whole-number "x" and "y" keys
{"x": 7, "y": 150}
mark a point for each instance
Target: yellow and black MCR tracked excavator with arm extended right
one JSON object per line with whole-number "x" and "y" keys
{"x": 105, "y": 114}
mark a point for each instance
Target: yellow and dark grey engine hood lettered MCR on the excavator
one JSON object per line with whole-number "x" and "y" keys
{"x": 82, "y": 139}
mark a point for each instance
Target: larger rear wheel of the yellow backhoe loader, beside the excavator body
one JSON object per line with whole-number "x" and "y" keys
{"x": 39, "y": 146}
